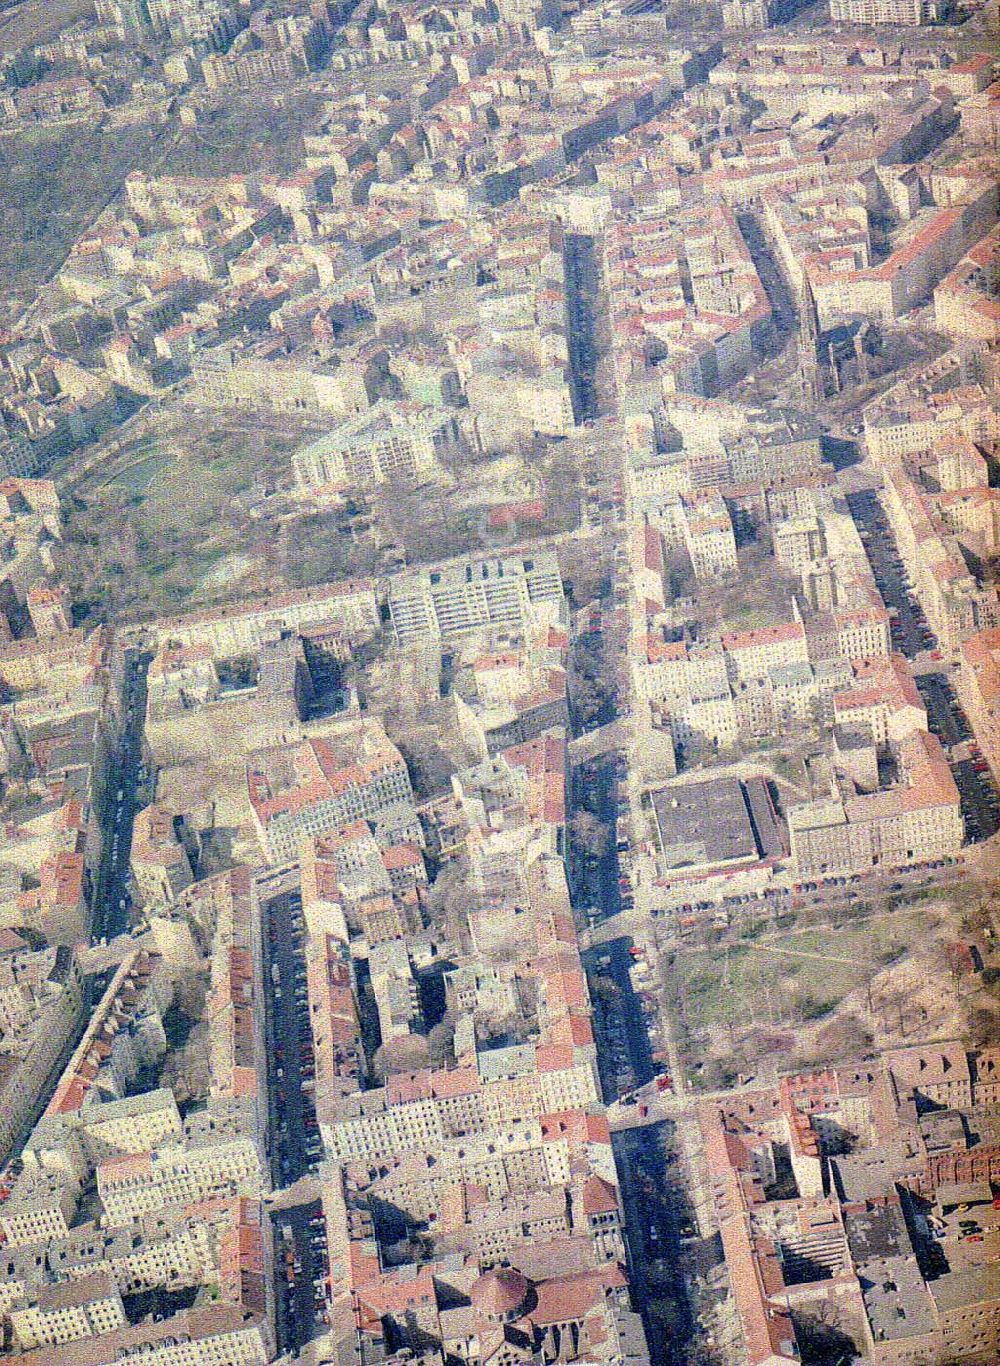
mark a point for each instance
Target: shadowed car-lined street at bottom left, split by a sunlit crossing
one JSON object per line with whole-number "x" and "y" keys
{"x": 296, "y": 1145}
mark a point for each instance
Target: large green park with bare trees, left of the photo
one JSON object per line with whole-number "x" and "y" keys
{"x": 199, "y": 518}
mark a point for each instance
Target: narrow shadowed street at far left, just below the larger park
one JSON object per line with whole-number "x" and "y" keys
{"x": 113, "y": 897}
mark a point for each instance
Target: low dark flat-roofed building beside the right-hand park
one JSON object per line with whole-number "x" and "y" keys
{"x": 717, "y": 824}
